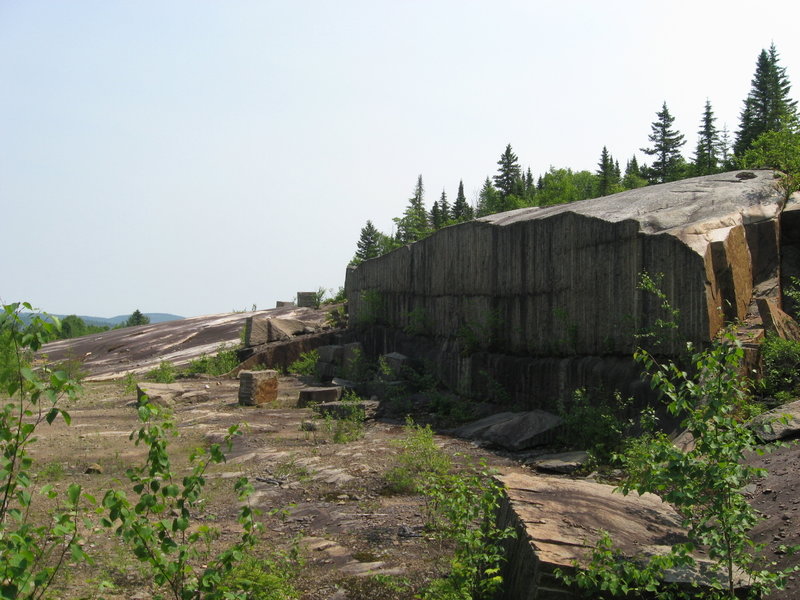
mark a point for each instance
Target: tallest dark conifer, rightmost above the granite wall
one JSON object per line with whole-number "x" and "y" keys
{"x": 767, "y": 106}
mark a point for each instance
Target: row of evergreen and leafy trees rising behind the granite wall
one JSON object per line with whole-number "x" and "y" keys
{"x": 768, "y": 136}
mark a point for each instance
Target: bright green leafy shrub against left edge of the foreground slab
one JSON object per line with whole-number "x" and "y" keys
{"x": 463, "y": 508}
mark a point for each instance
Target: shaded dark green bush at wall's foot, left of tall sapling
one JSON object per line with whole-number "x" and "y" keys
{"x": 595, "y": 422}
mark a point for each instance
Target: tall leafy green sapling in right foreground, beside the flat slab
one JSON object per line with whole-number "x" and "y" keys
{"x": 704, "y": 483}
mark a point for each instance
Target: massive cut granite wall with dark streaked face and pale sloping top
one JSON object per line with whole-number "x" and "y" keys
{"x": 538, "y": 301}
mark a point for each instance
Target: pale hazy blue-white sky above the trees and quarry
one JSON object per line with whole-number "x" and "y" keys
{"x": 196, "y": 157}
